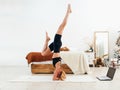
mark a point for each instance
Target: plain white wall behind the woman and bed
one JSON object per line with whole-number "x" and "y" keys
{"x": 23, "y": 24}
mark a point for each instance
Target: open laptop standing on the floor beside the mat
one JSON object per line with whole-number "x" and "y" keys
{"x": 109, "y": 76}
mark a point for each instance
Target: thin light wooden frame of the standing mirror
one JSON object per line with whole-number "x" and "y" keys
{"x": 95, "y": 41}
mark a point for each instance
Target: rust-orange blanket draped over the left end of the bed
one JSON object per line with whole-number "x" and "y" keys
{"x": 37, "y": 57}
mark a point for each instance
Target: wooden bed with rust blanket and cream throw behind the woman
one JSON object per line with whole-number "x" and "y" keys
{"x": 73, "y": 62}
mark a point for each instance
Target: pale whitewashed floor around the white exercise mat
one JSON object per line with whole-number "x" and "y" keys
{"x": 10, "y": 72}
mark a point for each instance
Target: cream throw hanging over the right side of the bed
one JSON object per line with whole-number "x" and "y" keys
{"x": 77, "y": 61}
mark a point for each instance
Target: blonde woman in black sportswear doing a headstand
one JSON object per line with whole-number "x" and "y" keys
{"x": 55, "y": 47}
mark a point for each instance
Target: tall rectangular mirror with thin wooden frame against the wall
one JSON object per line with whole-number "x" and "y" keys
{"x": 101, "y": 39}
